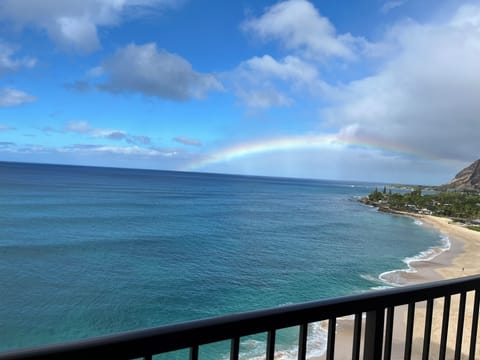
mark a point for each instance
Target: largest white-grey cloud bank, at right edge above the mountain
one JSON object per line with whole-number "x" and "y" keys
{"x": 425, "y": 98}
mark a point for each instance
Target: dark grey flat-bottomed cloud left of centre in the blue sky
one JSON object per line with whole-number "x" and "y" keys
{"x": 155, "y": 72}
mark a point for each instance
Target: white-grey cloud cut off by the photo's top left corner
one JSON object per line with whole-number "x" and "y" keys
{"x": 73, "y": 24}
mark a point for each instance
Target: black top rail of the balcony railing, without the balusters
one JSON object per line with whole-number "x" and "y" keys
{"x": 140, "y": 343}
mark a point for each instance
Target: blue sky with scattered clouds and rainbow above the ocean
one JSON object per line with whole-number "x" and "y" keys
{"x": 368, "y": 90}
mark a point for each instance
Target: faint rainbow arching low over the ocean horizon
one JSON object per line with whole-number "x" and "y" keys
{"x": 295, "y": 143}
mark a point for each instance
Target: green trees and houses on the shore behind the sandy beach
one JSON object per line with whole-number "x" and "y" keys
{"x": 459, "y": 205}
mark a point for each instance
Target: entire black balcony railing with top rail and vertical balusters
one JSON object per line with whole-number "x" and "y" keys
{"x": 452, "y": 303}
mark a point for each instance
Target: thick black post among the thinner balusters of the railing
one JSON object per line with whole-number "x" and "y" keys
{"x": 374, "y": 335}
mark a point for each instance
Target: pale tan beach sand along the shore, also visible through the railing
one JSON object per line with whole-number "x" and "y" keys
{"x": 462, "y": 259}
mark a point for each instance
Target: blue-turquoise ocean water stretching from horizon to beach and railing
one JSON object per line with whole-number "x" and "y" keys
{"x": 88, "y": 251}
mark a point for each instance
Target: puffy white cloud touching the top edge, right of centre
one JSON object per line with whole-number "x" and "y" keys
{"x": 298, "y": 26}
